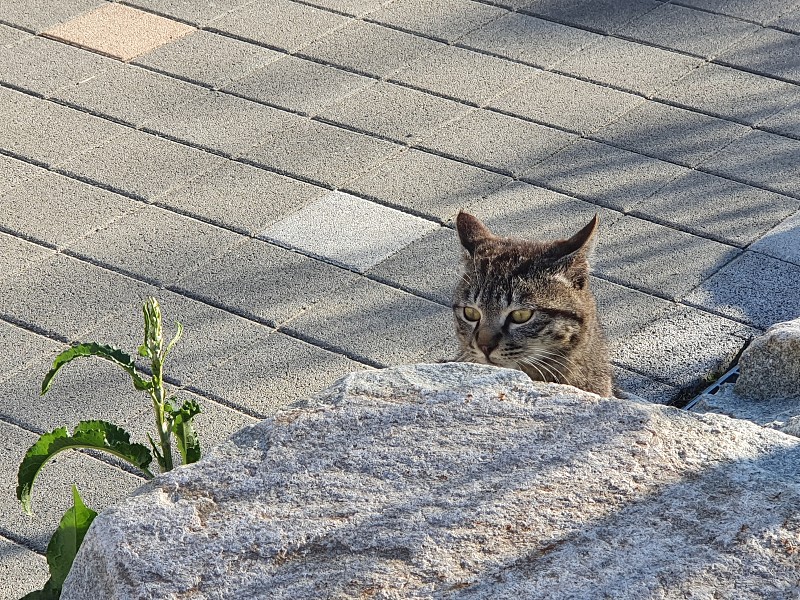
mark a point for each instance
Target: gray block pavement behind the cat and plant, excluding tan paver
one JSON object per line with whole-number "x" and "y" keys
{"x": 679, "y": 123}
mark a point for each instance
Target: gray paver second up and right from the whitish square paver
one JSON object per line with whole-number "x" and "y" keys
{"x": 497, "y": 141}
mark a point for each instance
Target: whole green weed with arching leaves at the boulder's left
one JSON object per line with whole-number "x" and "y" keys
{"x": 107, "y": 437}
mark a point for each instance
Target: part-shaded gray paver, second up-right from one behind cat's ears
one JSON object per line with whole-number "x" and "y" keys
{"x": 672, "y": 133}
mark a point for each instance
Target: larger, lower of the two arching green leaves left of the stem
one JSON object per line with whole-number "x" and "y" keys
{"x": 98, "y": 435}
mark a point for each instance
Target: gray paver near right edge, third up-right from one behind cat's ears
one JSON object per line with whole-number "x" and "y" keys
{"x": 731, "y": 93}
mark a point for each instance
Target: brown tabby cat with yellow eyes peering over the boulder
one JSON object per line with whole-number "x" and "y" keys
{"x": 527, "y": 305}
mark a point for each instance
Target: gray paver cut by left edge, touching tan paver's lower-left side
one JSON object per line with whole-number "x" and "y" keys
{"x": 44, "y": 66}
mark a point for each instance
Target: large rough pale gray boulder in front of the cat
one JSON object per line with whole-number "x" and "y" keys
{"x": 462, "y": 481}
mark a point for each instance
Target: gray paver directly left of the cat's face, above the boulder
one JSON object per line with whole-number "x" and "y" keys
{"x": 403, "y": 328}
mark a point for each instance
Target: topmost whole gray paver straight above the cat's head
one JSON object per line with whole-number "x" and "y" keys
{"x": 510, "y": 36}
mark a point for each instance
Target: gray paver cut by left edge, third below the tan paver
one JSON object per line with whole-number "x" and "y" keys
{"x": 82, "y": 209}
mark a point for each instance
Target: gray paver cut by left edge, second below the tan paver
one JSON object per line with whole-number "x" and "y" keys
{"x": 60, "y": 133}
